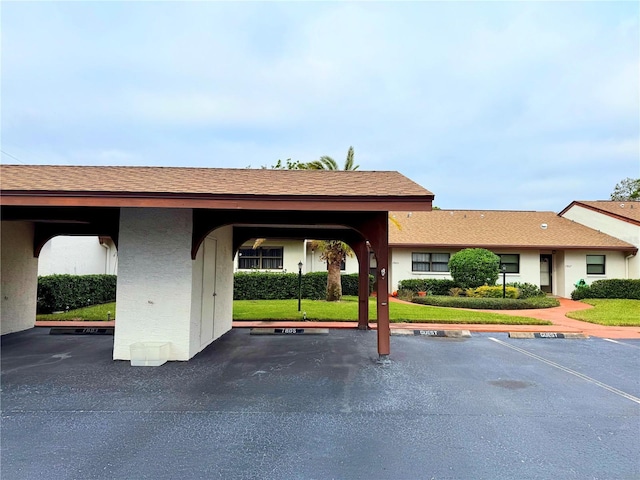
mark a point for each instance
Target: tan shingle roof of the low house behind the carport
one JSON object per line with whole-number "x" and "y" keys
{"x": 491, "y": 228}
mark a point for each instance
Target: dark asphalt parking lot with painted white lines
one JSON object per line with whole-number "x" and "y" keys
{"x": 320, "y": 407}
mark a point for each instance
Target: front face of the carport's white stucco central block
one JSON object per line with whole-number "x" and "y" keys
{"x": 155, "y": 279}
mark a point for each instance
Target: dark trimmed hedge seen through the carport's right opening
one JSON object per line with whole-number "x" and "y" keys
{"x": 283, "y": 286}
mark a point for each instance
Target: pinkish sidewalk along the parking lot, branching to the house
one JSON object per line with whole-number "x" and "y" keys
{"x": 555, "y": 315}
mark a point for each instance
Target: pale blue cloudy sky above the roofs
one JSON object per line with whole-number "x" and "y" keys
{"x": 489, "y": 105}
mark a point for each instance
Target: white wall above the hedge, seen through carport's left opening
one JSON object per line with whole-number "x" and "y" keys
{"x": 77, "y": 255}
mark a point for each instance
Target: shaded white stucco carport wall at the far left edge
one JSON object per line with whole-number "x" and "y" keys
{"x": 19, "y": 278}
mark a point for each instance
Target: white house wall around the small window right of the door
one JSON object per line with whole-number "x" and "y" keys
{"x": 575, "y": 268}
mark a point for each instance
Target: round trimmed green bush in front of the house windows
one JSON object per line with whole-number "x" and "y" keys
{"x": 474, "y": 267}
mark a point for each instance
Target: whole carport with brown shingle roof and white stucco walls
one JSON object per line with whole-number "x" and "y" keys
{"x": 177, "y": 230}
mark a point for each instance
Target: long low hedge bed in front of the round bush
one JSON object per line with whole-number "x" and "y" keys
{"x": 487, "y": 303}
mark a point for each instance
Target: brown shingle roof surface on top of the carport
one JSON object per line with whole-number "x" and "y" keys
{"x": 215, "y": 181}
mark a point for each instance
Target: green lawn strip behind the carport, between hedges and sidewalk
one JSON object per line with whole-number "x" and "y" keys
{"x": 346, "y": 310}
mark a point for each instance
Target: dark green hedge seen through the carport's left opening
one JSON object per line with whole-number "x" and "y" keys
{"x": 68, "y": 292}
